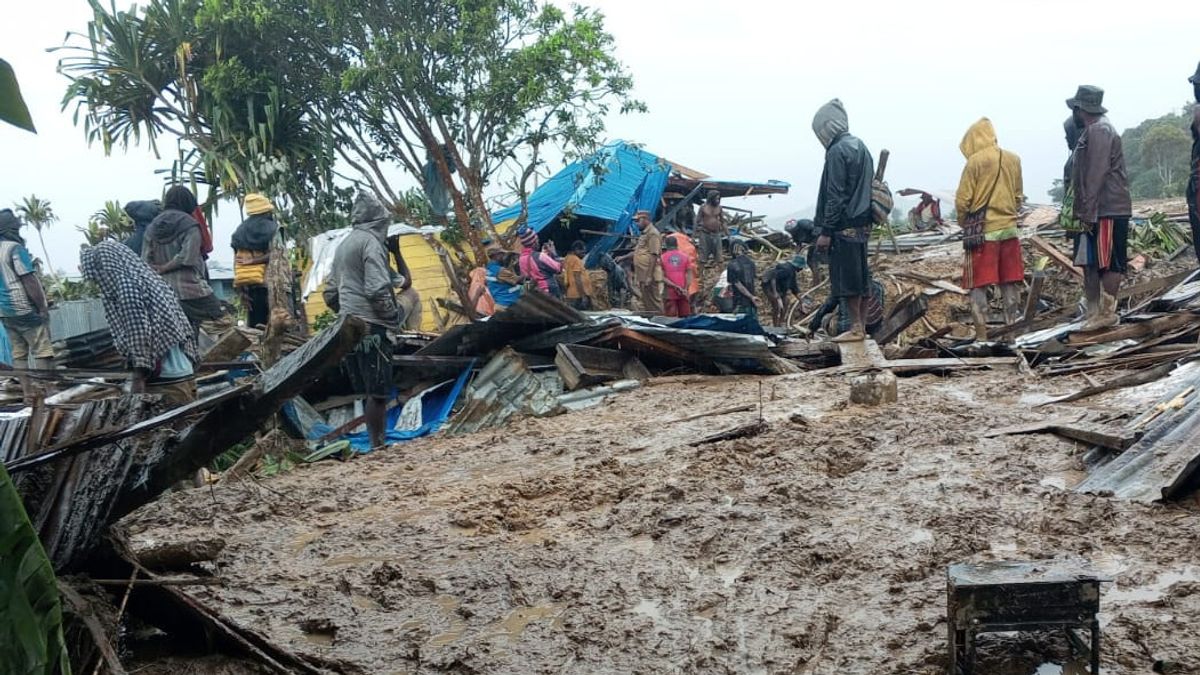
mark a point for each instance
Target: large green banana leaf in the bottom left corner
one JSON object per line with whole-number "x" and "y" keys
{"x": 31, "y": 614}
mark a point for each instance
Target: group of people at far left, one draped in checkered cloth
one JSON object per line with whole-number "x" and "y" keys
{"x": 154, "y": 289}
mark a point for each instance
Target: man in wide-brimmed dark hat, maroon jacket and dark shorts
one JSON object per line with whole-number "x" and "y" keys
{"x": 1102, "y": 206}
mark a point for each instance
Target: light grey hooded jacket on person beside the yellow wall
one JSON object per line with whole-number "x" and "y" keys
{"x": 361, "y": 283}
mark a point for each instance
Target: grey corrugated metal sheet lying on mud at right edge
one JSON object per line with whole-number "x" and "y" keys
{"x": 1165, "y": 463}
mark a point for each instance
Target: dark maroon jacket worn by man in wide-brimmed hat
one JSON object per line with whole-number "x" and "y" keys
{"x": 1099, "y": 176}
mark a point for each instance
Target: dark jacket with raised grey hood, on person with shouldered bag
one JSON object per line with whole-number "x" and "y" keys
{"x": 845, "y": 198}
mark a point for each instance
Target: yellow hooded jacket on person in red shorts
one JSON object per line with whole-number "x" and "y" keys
{"x": 985, "y": 159}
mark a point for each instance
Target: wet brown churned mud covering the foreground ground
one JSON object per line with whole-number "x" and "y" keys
{"x": 603, "y": 542}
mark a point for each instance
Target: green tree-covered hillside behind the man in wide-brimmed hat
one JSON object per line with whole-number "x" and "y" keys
{"x": 1157, "y": 153}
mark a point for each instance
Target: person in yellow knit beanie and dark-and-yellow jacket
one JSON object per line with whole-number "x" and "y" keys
{"x": 253, "y": 252}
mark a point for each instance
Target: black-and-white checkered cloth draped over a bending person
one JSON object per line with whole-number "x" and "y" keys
{"x": 143, "y": 313}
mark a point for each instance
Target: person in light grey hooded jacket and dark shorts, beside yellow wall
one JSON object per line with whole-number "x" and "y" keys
{"x": 361, "y": 285}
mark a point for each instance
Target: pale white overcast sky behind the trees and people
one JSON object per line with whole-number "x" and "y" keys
{"x": 733, "y": 88}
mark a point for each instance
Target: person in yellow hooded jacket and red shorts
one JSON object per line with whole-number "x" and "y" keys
{"x": 993, "y": 189}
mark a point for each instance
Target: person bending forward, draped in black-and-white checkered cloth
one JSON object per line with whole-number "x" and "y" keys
{"x": 148, "y": 324}
